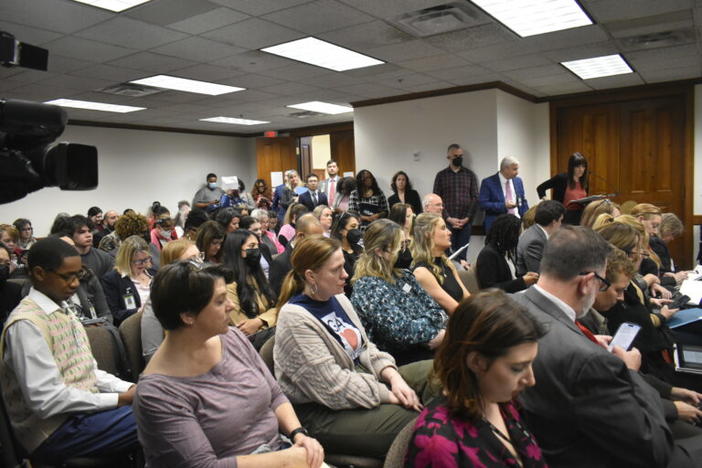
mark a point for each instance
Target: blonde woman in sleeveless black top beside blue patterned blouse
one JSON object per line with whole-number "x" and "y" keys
{"x": 432, "y": 269}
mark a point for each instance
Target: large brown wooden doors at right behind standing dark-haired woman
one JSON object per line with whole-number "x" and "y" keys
{"x": 636, "y": 148}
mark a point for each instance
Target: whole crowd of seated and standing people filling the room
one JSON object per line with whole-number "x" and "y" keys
{"x": 362, "y": 299}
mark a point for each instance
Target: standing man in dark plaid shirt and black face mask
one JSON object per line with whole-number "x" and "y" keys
{"x": 458, "y": 188}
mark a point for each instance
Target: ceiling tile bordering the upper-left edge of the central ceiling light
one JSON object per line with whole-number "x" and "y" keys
{"x": 253, "y": 33}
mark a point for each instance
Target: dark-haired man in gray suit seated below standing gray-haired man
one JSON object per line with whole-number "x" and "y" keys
{"x": 547, "y": 220}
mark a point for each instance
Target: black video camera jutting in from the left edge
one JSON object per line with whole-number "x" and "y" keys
{"x": 27, "y": 129}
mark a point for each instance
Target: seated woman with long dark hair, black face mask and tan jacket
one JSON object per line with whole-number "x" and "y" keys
{"x": 254, "y": 311}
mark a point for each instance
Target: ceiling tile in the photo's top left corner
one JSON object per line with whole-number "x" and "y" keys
{"x": 61, "y": 16}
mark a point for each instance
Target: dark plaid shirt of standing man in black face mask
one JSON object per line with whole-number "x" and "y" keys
{"x": 458, "y": 191}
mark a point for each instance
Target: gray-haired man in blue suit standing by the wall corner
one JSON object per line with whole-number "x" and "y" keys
{"x": 503, "y": 193}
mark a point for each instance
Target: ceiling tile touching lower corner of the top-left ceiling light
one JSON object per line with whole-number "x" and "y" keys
{"x": 128, "y": 32}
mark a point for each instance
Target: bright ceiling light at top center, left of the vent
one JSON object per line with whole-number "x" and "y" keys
{"x": 322, "y": 54}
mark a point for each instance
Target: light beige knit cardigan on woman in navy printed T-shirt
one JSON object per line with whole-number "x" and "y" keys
{"x": 311, "y": 365}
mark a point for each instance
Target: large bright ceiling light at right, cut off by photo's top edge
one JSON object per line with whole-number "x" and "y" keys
{"x": 532, "y": 17}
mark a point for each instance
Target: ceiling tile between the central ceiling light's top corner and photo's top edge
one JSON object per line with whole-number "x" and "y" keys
{"x": 318, "y": 16}
